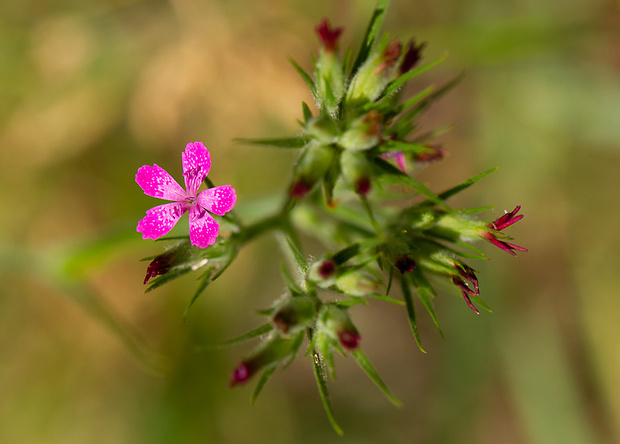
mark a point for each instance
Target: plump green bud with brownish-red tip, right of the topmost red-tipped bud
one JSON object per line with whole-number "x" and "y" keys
{"x": 374, "y": 75}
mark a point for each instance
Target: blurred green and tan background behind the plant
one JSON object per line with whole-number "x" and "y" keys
{"x": 91, "y": 90}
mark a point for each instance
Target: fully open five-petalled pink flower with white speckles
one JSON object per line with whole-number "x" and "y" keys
{"x": 156, "y": 182}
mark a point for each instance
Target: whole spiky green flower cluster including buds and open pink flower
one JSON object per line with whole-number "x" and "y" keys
{"x": 383, "y": 230}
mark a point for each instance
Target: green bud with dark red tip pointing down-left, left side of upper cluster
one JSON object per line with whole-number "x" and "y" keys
{"x": 314, "y": 162}
